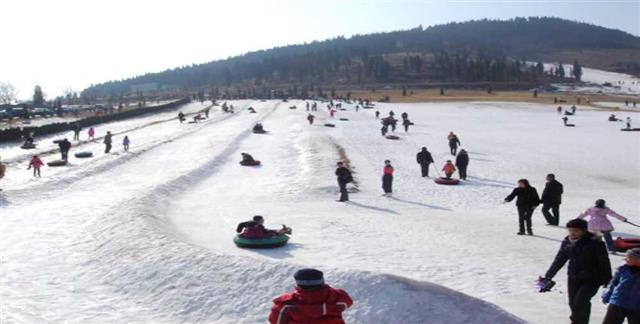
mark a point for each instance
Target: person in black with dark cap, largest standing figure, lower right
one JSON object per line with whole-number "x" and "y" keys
{"x": 589, "y": 268}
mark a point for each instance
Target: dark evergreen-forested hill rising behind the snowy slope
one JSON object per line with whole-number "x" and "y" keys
{"x": 474, "y": 51}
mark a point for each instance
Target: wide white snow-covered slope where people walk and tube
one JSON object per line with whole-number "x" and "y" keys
{"x": 146, "y": 236}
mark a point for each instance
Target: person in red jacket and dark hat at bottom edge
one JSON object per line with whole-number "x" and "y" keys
{"x": 312, "y": 302}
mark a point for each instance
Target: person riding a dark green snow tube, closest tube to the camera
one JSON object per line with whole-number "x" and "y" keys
{"x": 253, "y": 234}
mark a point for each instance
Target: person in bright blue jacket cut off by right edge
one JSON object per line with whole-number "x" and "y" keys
{"x": 623, "y": 295}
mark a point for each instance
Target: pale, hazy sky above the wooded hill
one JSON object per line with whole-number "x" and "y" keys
{"x": 73, "y": 43}
